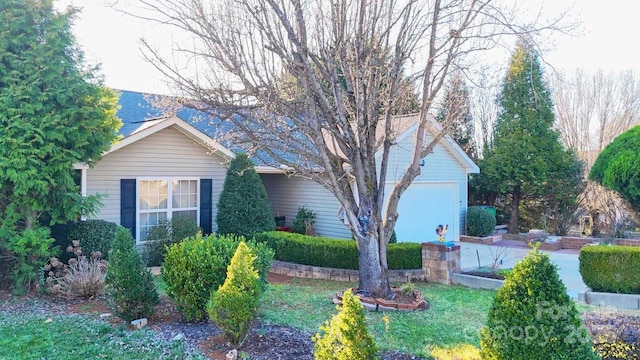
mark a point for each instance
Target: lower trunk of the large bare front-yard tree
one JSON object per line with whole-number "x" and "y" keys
{"x": 372, "y": 276}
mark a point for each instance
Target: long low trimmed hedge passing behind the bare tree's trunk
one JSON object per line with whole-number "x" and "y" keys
{"x": 335, "y": 253}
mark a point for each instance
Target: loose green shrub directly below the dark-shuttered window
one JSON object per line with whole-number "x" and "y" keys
{"x": 166, "y": 233}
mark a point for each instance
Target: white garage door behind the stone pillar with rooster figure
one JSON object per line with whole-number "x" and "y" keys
{"x": 422, "y": 208}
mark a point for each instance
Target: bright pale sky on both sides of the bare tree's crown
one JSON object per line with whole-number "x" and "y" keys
{"x": 112, "y": 39}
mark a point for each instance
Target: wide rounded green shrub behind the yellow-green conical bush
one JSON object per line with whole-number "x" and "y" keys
{"x": 196, "y": 266}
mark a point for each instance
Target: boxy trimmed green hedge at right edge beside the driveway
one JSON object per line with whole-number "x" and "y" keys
{"x": 614, "y": 269}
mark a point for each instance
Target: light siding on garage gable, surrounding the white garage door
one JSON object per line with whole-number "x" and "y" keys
{"x": 439, "y": 166}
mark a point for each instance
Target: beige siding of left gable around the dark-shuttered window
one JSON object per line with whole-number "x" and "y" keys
{"x": 167, "y": 153}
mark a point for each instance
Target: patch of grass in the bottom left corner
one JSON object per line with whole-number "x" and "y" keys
{"x": 80, "y": 337}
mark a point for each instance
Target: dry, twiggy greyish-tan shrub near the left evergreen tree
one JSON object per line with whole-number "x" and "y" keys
{"x": 83, "y": 277}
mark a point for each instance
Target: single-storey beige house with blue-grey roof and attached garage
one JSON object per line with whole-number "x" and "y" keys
{"x": 167, "y": 165}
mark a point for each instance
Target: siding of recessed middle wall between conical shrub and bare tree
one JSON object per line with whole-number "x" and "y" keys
{"x": 286, "y": 194}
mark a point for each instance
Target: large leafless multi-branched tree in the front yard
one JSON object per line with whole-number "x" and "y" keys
{"x": 312, "y": 85}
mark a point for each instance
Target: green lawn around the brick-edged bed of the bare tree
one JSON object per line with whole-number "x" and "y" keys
{"x": 455, "y": 317}
